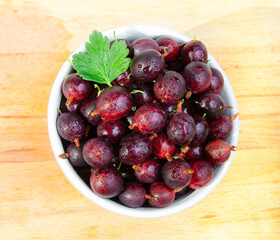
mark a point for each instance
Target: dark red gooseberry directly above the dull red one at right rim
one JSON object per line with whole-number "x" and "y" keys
{"x": 220, "y": 127}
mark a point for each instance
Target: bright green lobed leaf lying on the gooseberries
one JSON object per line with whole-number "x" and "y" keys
{"x": 101, "y": 63}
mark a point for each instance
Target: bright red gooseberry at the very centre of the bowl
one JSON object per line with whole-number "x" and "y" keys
{"x": 150, "y": 118}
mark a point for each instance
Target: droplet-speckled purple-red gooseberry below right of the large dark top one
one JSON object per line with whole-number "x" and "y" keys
{"x": 170, "y": 87}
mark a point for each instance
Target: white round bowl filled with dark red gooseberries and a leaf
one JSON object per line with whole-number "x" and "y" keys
{"x": 143, "y": 121}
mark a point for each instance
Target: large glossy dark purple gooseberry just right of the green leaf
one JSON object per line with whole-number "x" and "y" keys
{"x": 147, "y": 65}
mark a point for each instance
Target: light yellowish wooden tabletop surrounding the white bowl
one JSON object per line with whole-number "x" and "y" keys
{"x": 36, "y": 200}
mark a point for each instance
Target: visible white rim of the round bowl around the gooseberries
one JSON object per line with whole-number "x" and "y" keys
{"x": 132, "y": 32}
